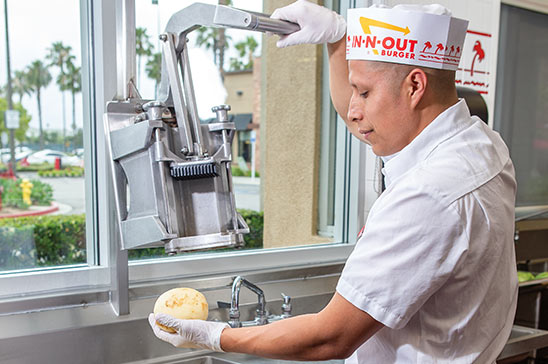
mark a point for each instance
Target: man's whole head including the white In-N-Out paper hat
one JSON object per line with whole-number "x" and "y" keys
{"x": 399, "y": 83}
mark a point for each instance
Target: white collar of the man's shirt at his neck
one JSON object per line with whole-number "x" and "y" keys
{"x": 444, "y": 126}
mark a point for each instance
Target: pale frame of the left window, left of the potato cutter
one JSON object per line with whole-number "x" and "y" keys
{"x": 95, "y": 273}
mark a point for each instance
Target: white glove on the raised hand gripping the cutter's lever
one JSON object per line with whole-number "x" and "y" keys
{"x": 318, "y": 24}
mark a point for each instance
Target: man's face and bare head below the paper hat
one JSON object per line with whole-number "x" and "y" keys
{"x": 392, "y": 103}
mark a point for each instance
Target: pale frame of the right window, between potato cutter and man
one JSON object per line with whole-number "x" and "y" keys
{"x": 350, "y": 169}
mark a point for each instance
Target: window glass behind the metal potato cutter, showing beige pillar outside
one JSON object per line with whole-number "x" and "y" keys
{"x": 275, "y": 155}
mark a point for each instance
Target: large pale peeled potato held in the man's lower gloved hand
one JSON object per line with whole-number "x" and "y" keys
{"x": 181, "y": 303}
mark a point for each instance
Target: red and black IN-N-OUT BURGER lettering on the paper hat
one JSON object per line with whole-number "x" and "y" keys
{"x": 388, "y": 46}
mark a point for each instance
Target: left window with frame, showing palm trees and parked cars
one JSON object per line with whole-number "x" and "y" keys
{"x": 57, "y": 249}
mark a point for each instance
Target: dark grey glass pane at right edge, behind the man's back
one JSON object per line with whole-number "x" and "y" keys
{"x": 522, "y": 100}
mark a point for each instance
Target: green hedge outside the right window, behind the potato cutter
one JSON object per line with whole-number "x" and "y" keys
{"x": 253, "y": 240}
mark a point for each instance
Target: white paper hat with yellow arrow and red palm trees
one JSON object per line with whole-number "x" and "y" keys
{"x": 420, "y": 35}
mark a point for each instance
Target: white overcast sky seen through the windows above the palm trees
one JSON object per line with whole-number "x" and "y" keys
{"x": 35, "y": 24}
